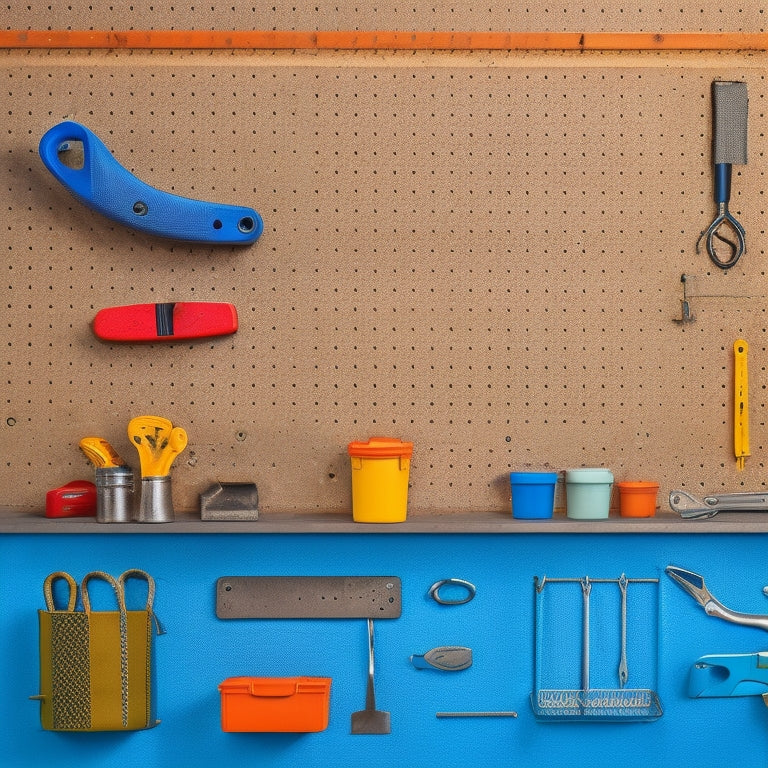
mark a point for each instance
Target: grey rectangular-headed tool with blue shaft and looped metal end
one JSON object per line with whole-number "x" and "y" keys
{"x": 729, "y": 147}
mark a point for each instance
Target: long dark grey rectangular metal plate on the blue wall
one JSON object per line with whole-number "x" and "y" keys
{"x": 308, "y": 597}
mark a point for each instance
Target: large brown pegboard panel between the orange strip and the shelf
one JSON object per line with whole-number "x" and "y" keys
{"x": 481, "y": 254}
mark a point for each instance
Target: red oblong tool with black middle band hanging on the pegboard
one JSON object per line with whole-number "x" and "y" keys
{"x": 173, "y": 321}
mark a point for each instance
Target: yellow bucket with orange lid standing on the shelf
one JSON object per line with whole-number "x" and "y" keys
{"x": 380, "y": 471}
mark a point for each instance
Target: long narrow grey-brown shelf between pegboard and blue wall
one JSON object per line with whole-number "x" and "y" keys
{"x": 31, "y": 521}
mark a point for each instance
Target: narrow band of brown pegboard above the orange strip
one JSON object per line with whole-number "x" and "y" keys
{"x": 610, "y": 15}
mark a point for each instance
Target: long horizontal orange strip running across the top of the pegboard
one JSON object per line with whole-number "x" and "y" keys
{"x": 383, "y": 40}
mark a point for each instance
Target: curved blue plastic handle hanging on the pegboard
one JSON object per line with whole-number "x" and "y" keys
{"x": 104, "y": 185}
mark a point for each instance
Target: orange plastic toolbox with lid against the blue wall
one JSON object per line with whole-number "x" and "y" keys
{"x": 291, "y": 704}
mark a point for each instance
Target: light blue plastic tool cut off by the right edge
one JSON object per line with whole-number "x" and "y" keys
{"x": 729, "y": 675}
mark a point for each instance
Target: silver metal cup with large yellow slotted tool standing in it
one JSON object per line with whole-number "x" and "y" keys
{"x": 158, "y": 443}
